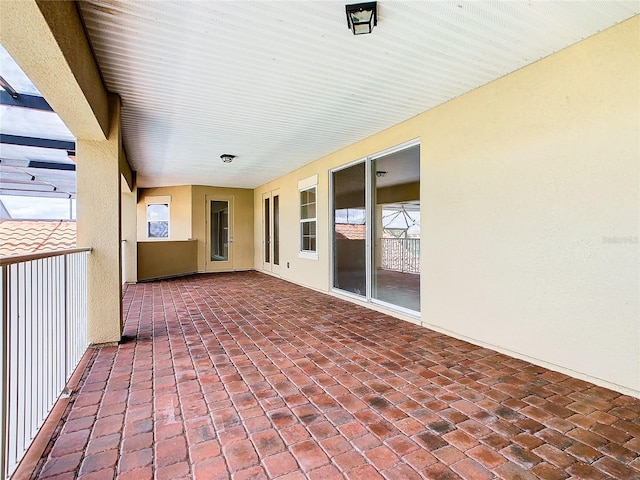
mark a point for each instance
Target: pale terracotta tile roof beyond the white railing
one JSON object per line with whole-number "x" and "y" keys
{"x": 20, "y": 237}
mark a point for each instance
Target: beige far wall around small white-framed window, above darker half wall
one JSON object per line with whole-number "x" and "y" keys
{"x": 179, "y": 211}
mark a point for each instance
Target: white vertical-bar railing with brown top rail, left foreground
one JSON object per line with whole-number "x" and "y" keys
{"x": 44, "y": 336}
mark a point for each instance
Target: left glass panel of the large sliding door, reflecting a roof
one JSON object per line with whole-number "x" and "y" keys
{"x": 350, "y": 229}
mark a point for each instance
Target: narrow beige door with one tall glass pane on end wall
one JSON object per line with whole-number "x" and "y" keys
{"x": 219, "y": 225}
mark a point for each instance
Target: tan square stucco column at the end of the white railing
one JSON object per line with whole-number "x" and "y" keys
{"x": 99, "y": 217}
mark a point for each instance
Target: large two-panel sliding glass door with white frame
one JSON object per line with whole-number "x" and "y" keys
{"x": 376, "y": 228}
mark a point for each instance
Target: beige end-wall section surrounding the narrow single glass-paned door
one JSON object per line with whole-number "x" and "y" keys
{"x": 242, "y": 255}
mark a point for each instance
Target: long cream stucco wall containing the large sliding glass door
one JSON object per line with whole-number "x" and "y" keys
{"x": 530, "y": 211}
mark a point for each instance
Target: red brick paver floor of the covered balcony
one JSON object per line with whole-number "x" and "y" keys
{"x": 245, "y": 376}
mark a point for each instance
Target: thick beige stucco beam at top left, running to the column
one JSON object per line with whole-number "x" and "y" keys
{"x": 48, "y": 41}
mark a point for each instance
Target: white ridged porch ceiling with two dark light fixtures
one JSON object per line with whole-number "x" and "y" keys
{"x": 280, "y": 84}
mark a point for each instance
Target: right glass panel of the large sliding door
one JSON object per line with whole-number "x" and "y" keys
{"x": 396, "y": 229}
